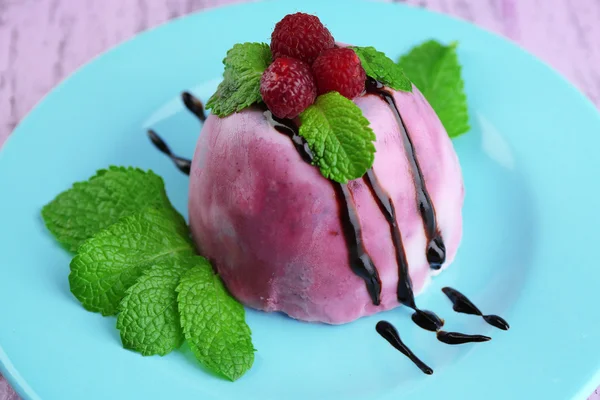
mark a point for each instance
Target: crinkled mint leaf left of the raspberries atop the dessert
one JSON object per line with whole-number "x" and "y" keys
{"x": 240, "y": 88}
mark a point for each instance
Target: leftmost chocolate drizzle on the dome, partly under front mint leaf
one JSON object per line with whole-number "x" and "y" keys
{"x": 360, "y": 260}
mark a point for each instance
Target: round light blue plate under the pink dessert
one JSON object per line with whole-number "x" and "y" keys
{"x": 530, "y": 167}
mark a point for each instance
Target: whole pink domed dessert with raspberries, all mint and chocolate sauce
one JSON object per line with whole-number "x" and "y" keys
{"x": 323, "y": 186}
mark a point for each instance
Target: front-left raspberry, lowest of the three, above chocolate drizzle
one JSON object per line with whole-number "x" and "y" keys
{"x": 288, "y": 87}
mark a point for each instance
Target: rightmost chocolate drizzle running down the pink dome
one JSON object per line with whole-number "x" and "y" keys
{"x": 436, "y": 250}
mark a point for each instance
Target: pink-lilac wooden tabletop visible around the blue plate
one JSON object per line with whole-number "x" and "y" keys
{"x": 43, "y": 41}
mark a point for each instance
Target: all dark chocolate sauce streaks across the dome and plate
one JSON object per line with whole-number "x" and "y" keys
{"x": 360, "y": 261}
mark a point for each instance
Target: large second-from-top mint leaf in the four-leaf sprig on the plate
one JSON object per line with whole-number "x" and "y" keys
{"x": 109, "y": 263}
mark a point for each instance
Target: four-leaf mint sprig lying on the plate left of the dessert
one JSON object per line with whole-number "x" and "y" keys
{"x": 136, "y": 264}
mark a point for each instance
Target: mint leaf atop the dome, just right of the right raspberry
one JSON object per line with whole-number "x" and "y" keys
{"x": 378, "y": 66}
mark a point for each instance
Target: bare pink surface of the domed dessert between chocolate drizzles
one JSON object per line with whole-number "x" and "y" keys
{"x": 269, "y": 221}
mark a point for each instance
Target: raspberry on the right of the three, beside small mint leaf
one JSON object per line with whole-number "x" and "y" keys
{"x": 339, "y": 70}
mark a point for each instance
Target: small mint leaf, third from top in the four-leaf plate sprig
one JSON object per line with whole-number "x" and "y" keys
{"x": 148, "y": 317}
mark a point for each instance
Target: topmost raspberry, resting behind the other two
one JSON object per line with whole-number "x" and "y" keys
{"x": 300, "y": 36}
